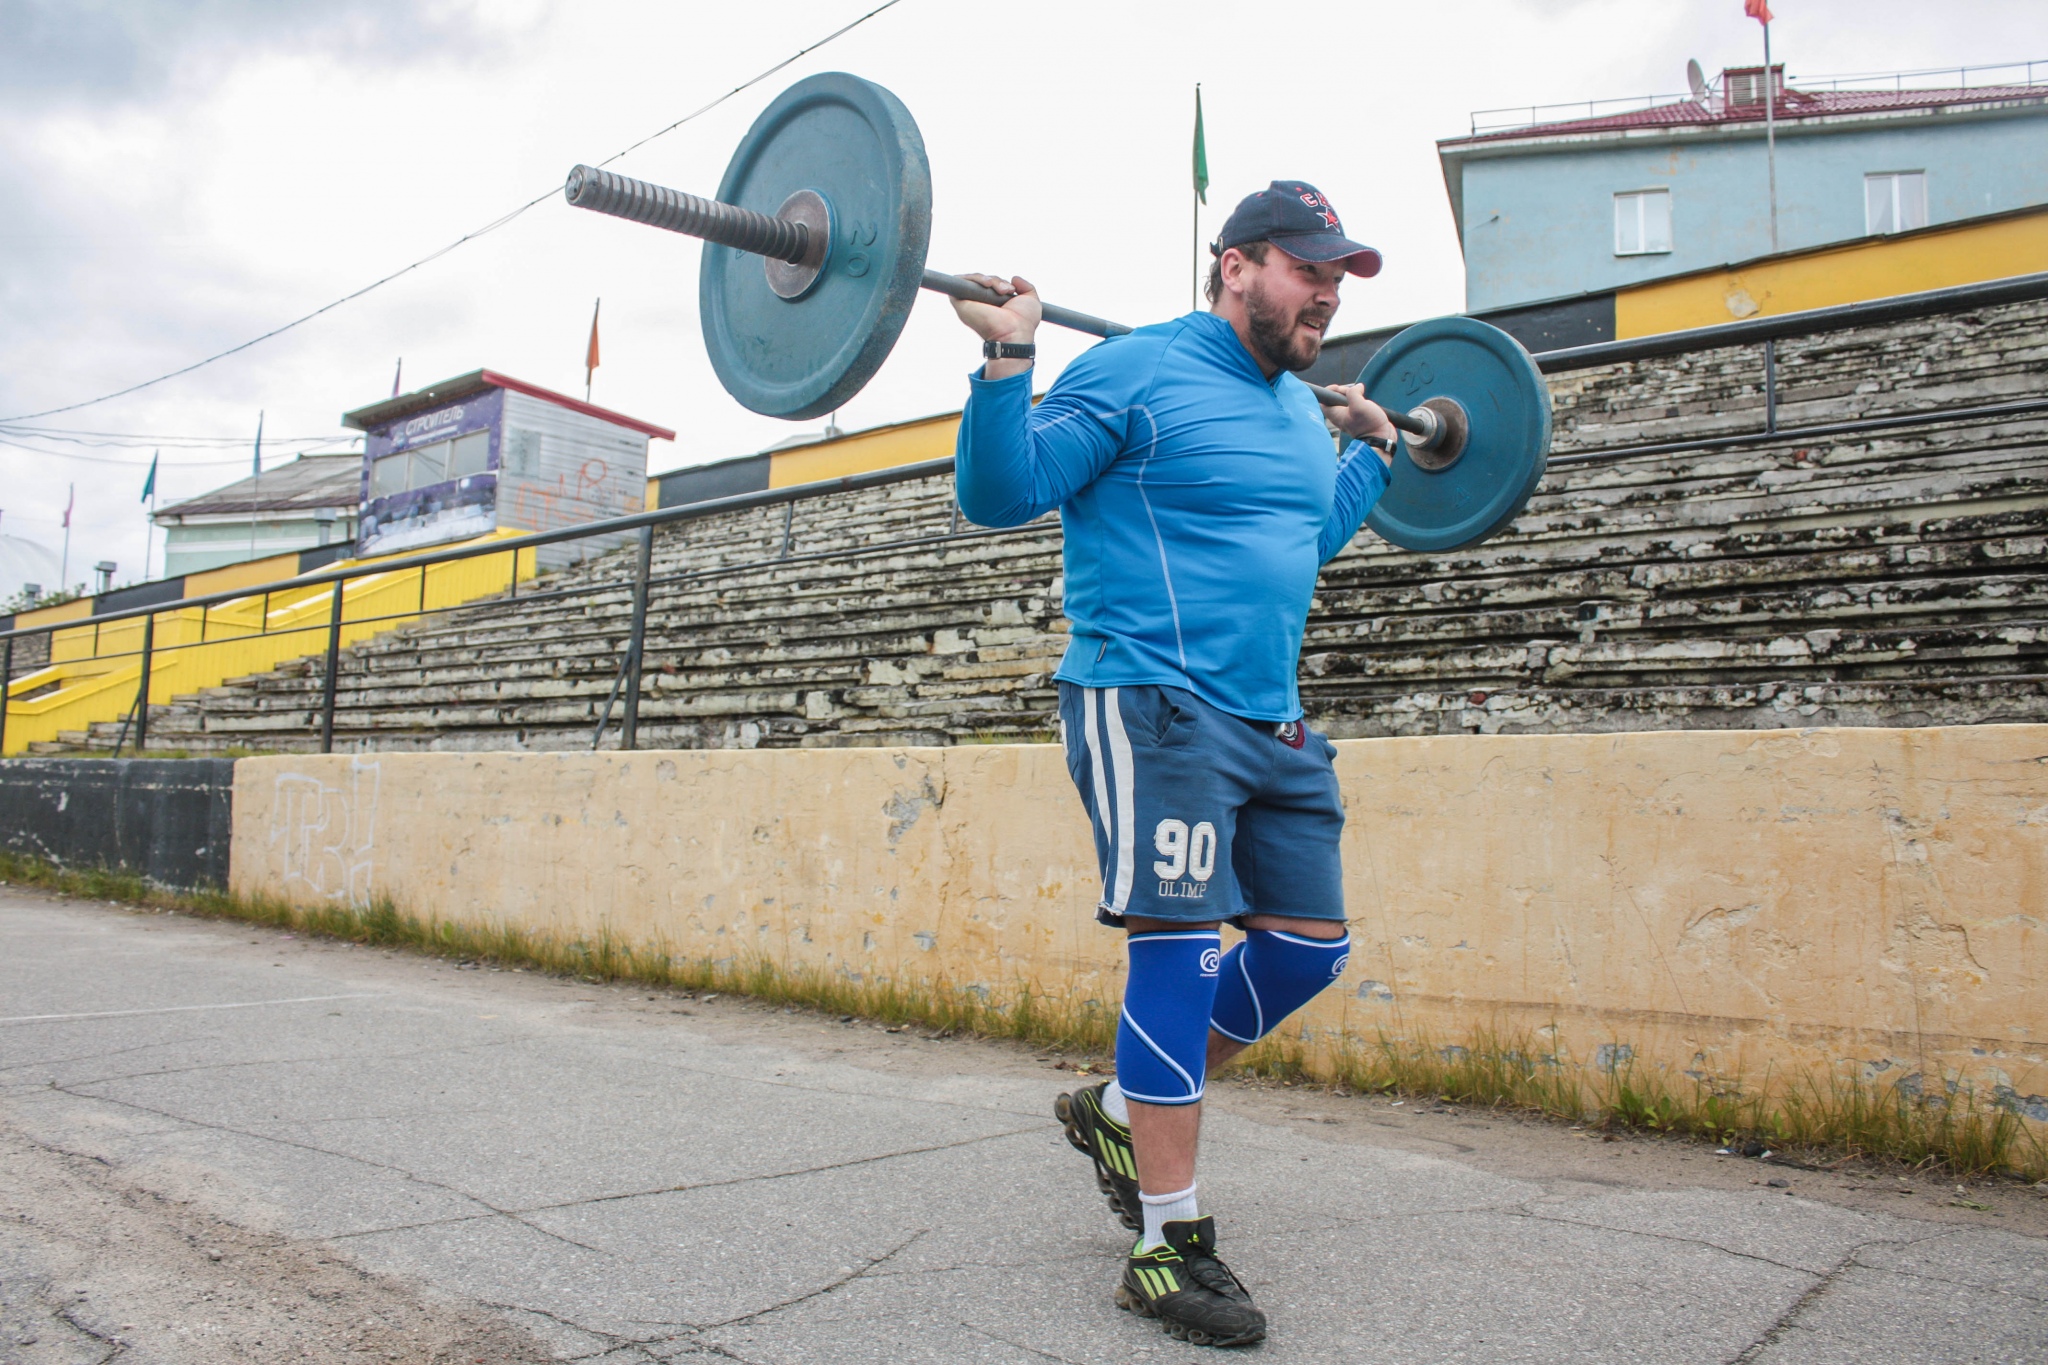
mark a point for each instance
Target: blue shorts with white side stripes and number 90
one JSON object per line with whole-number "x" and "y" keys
{"x": 1199, "y": 813}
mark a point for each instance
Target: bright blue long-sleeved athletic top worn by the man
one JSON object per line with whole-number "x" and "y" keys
{"x": 1197, "y": 496}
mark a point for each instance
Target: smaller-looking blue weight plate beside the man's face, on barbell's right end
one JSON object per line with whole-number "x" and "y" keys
{"x": 1506, "y": 449}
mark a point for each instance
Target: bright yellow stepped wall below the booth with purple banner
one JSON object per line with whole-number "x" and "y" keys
{"x": 95, "y": 668}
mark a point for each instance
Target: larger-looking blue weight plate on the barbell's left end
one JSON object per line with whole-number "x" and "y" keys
{"x": 857, "y": 146}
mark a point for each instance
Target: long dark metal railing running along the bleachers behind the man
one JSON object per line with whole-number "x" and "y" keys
{"x": 628, "y": 678}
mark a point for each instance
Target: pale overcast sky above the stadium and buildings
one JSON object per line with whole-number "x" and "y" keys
{"x": 177, "y": 179}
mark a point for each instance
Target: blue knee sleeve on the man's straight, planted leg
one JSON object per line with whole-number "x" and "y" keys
{"x": 1162, "y": 1039}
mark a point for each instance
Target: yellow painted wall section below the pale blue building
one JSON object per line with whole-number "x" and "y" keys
{"x": 1871, "y": 269}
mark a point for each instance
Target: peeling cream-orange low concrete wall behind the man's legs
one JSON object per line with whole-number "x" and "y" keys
{"x": 1701, "y": 906}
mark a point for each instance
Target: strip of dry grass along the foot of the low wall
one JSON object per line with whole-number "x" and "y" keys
{"x": 1945, "y": 1127}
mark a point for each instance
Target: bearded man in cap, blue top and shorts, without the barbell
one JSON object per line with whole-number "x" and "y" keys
{"x": 1199, "y": 498}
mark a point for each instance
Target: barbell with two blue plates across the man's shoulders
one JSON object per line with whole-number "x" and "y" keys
{"x": 814, "y": 255}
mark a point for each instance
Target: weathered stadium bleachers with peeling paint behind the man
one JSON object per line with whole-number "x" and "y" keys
{"x": 1861, "y": 578}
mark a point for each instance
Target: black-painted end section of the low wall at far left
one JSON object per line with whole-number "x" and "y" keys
{"x": 167, "y": 820}
